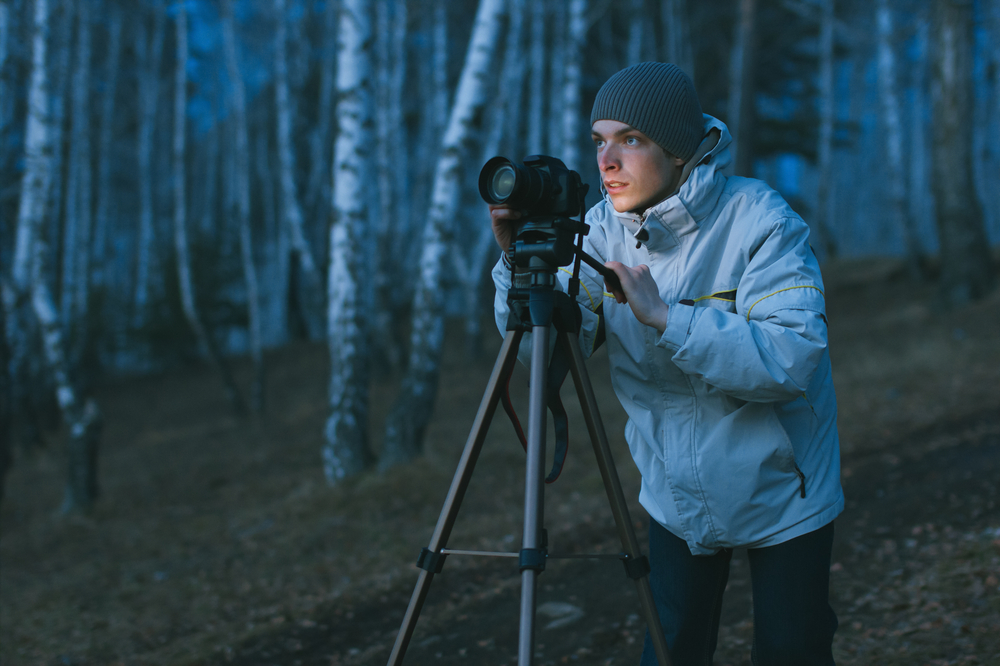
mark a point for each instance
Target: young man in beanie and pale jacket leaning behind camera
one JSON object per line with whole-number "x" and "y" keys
{"x": 718, "y": 349}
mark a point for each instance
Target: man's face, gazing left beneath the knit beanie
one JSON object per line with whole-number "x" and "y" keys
{"x": 637, "y": 173}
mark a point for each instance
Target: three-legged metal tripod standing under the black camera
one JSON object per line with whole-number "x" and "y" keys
{"x": 537, "y": 309}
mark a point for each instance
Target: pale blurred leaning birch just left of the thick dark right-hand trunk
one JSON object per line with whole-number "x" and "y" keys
{"x": 892, "y": 124}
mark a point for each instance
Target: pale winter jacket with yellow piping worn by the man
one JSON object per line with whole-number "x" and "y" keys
{"x": 732, "y": 412}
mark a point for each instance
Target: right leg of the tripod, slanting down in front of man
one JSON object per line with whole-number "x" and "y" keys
{"x": 612, "y": 484}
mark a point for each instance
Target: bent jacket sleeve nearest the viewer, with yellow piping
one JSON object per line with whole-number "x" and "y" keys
{"x": 768, "y": 350}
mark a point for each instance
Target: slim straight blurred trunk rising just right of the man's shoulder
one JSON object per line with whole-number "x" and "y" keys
{"x": 824, "y": 150}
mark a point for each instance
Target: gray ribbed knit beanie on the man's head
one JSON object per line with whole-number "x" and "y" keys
{"x": 659, "y": 100}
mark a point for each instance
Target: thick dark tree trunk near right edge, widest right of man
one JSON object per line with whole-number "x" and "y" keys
{"x": 966, "y": 268}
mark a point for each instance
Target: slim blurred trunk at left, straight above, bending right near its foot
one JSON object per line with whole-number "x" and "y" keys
{"x": 181, "y": 250}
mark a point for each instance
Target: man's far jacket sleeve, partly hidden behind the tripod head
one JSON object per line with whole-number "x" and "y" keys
{"x": 590, "y": 297}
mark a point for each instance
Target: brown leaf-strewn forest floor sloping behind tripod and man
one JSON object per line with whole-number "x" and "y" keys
{"x": 216, "y": 540}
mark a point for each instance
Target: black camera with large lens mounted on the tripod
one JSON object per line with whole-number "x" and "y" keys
{"x": 548, "y": 195}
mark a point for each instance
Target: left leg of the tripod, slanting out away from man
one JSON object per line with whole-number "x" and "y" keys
{"x": 459, "y": 484}
